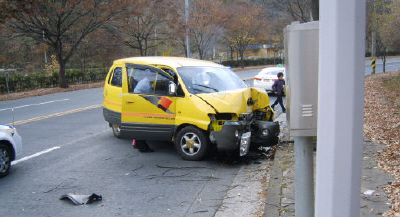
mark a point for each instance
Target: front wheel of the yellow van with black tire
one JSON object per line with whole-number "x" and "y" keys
{"x": 192, "y": 143}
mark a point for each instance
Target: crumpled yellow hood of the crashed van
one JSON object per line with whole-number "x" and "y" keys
{"x": 237, "y": 101}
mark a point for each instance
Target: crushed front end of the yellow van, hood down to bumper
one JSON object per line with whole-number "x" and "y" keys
{"x": 244, "y": 118}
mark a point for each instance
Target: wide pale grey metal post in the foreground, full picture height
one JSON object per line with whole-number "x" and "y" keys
{"x": 340, "y": 108}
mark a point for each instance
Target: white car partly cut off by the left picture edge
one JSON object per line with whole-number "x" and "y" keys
{"x": 10, "y": 148}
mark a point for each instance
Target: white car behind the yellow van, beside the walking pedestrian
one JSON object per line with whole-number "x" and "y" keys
{"x": 267, "y": 76}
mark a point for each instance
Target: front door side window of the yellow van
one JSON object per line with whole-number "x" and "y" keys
{"x": 147, "y": 81}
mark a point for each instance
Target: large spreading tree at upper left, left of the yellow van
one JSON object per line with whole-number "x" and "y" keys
{"x": 63, "y": 24}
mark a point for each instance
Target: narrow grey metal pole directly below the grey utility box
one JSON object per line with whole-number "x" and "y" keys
{"x": 304, "y": 176}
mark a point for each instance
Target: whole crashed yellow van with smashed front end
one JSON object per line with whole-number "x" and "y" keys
{"x": 199, "y": 105}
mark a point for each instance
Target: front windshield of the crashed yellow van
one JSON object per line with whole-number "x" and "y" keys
{"x": 209, "y": 79}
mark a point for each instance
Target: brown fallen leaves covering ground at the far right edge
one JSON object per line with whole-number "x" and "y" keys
{"x": 382, "y": 125}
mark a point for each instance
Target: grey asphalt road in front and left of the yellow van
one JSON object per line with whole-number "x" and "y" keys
{"x": 69, "y": 148}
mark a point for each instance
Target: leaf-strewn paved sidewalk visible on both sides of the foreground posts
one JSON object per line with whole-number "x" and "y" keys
{"x": 280, "y": 196}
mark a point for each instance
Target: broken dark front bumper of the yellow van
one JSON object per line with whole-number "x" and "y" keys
{"x": 239, "y": 135}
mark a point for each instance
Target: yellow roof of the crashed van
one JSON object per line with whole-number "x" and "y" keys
{"x": 174, "y": 62}
